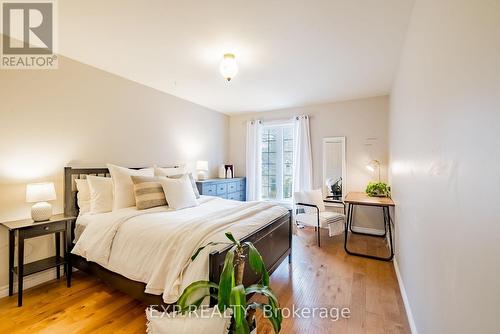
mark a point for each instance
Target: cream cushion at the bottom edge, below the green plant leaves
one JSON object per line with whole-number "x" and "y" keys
{"x": 195, "y": 322}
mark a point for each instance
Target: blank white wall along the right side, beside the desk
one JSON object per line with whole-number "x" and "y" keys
{"x": 445, "y": 157}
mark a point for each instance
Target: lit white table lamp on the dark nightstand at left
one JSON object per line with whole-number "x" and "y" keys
{"x": 40, "y": 193}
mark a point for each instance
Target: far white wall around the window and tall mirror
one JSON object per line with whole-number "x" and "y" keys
{"x": 363, "y": 122}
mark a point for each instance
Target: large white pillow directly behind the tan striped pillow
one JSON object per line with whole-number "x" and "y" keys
{"x": 123, "y": 188}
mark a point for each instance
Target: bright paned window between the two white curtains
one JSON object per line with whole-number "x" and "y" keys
{"x": 277, "y": 162}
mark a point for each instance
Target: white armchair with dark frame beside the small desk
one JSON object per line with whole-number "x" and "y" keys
{"x": 310, "y": 211}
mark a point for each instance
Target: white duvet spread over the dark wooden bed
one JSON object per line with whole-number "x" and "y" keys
{"x": 155, "y": 246}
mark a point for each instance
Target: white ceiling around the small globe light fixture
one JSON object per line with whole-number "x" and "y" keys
{"x": 290, "y": 53}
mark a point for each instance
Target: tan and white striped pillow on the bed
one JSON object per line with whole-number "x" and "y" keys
{"x": 148, "y": 192}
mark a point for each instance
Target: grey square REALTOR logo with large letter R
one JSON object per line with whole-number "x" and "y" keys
{"x": 28, "y": 38}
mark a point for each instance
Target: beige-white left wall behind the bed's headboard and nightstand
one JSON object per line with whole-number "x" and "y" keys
{"x": 84, "y": 116}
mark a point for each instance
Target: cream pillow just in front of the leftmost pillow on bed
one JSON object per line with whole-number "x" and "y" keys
{"x": 101, "y": 194}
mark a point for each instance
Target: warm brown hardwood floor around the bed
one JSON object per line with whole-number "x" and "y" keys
{"x": 318, "y": 277}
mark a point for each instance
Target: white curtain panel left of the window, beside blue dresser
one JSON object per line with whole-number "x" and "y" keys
{"x": 254, "y": 160}
